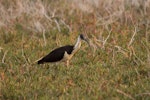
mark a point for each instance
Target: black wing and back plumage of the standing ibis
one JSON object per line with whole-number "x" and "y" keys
{"x": 51, "y": 57}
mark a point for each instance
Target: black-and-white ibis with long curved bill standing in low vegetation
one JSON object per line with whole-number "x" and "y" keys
{"x": 64, "y": 53}
